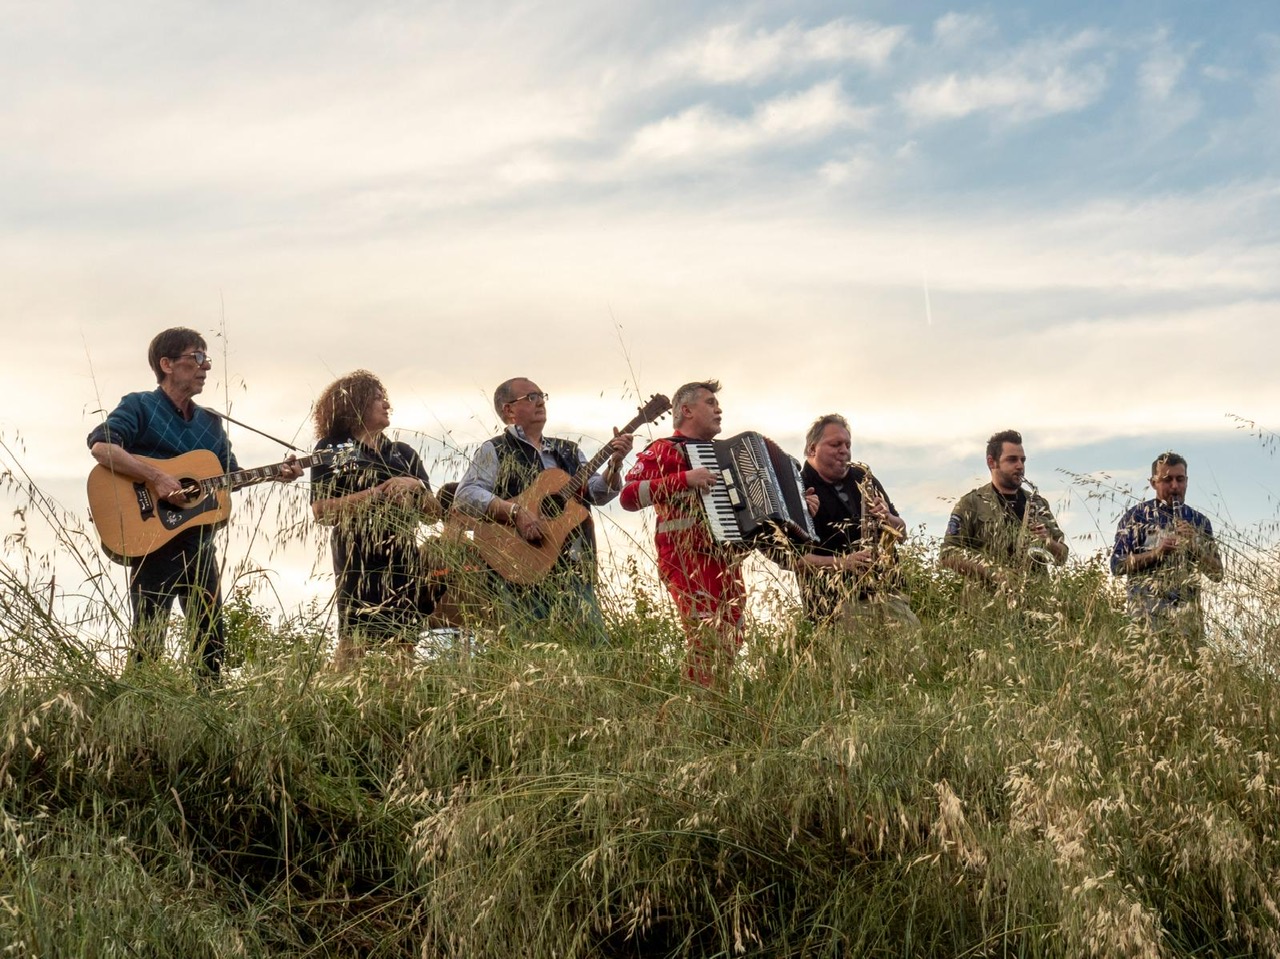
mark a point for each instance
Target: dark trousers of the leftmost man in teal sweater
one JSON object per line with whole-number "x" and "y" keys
{"x": 185, "y": 569}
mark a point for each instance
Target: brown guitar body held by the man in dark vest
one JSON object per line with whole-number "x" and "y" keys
{"x": 514, "y": 558}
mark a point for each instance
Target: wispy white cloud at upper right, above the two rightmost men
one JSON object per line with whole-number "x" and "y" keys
{"x": 1040, "y": 80}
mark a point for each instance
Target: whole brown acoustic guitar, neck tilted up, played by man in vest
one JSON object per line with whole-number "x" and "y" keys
{"x": 555, "y": 497}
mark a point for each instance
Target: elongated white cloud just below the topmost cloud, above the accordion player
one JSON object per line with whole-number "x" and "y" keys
{"x": 703, "y": 133}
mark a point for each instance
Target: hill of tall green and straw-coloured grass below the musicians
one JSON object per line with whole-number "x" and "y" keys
{"x": 1039, "y": 782}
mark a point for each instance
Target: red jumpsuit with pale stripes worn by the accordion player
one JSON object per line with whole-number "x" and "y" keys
{"x": 703, "y": 577}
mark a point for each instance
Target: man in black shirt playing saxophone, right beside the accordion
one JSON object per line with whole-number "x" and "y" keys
{"x": 849, "y": 576}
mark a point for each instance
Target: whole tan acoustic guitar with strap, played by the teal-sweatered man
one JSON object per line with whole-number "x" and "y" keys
{"x": 134, "y": 522}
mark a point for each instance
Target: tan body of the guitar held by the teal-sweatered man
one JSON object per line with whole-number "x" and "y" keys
{"x": 134, "y": 522}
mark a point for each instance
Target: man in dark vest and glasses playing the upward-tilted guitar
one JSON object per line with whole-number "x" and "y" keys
{"x": 504, "y": 468}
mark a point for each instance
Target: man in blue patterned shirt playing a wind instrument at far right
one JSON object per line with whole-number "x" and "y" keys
{"x": 1163, "y": 547}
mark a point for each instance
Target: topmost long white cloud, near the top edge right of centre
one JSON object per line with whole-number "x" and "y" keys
{"x": 733, "y": 54}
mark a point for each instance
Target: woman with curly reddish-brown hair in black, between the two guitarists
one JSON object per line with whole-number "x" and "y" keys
{"x": 374, "y": 504}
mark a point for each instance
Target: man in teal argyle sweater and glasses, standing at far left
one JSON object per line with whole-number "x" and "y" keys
{"x": 161, "y": 426}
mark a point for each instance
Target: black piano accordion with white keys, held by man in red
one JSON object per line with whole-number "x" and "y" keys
{"x": 760, "y": 495}
